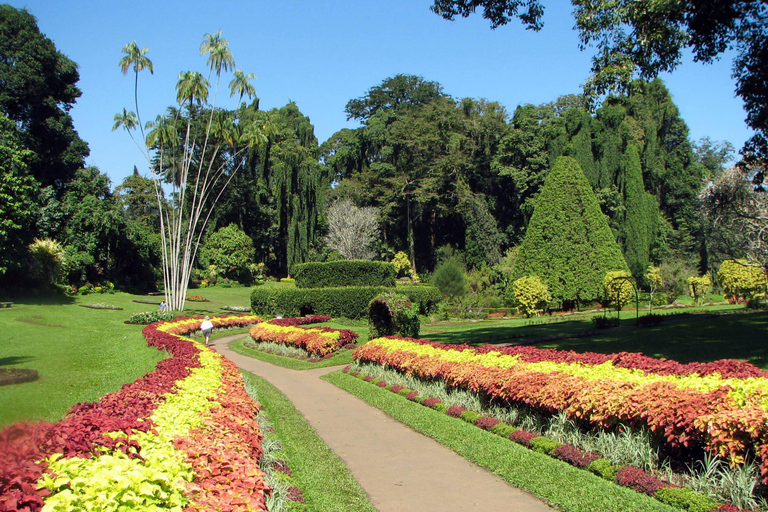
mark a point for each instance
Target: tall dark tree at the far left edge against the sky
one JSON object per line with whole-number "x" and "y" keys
{"x": 37, "y": 90}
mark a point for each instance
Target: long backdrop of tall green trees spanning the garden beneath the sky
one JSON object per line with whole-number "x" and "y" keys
{"x": 424, "y": 171}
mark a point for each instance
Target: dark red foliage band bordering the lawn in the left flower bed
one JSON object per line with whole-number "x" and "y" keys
{"x": 82, "y": 432}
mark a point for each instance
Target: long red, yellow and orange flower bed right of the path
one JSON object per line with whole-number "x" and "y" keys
{"x": 720, "y": 407}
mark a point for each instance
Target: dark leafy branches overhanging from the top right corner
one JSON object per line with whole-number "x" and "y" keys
{"x": 643, "y": 38}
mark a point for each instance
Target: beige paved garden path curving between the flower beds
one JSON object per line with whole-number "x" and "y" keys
{"x": 399, "y": 469}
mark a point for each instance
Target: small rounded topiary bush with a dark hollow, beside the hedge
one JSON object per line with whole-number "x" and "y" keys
{"x": 393, "y": 314}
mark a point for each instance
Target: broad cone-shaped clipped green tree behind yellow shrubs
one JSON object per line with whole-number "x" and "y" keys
{"x": 568, "y": 243}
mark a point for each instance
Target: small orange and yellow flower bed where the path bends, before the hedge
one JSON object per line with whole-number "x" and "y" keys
{"x": 320, "y": 341}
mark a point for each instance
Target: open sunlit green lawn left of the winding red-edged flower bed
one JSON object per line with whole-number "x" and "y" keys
{"x": 82, "y": 353}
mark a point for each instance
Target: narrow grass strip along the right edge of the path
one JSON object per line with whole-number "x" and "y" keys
{"x": 569, "y": 488}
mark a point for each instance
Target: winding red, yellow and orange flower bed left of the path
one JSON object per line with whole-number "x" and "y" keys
{"x": 182, "y": 436}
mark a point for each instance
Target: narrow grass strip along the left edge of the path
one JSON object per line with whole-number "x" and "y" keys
{"x": 327, "y": 484}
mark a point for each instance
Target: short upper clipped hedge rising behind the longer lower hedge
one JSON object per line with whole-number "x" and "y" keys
{"x": 334, "y": 274}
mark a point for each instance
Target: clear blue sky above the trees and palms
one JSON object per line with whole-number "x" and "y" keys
{"x": 321, "y": 54}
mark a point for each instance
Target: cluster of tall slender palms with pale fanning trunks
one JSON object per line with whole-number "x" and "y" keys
{"x": 200, "y": 169}
